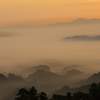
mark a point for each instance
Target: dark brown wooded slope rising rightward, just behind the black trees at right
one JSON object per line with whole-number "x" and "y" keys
{"x": 95, "y": 78}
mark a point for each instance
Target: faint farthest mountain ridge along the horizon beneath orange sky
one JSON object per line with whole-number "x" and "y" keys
{"x": 79, "y": 21}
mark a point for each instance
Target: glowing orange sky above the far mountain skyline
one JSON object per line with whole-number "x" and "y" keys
{"x": 42, "y": 12}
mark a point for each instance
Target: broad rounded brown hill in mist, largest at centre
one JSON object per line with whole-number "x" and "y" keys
{"x": 48, "y": 81}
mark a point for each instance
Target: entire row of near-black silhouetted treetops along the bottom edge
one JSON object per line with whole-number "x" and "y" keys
{"x": 93, "y": 94}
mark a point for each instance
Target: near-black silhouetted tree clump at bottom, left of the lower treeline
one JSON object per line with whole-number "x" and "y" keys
{"x": 30, "y": 94}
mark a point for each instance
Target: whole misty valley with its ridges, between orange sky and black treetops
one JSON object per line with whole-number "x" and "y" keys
{"x": 57, "y": 58}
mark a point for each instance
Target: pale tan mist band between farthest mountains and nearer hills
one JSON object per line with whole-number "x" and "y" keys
{"x": 24, "y": 46}
